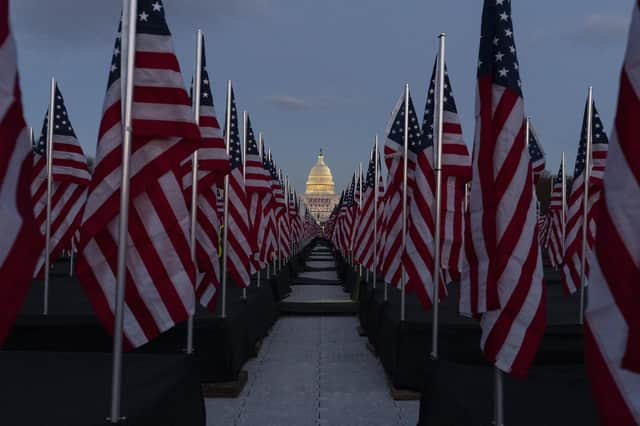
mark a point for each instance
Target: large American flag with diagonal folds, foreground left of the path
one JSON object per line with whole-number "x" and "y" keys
{"x": 160, "y": 278}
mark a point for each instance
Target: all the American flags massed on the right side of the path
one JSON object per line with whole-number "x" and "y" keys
{"x": 493, "y": 234}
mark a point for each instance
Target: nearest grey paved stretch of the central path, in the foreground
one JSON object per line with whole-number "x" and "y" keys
{"x": 313, "y": 371}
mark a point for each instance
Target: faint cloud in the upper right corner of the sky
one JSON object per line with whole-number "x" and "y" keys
{"x": 601, "y": 30}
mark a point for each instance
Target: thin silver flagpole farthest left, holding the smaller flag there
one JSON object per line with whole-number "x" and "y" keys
{"x": 49, "y": 158}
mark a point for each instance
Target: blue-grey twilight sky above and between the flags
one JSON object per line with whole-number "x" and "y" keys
{"x": 326, "y": 74}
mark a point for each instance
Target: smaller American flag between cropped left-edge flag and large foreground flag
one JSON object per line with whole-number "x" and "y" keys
{"x": 69, "y": 185}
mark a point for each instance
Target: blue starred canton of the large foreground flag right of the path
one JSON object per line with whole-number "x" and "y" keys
{"x": 497, "y": 47}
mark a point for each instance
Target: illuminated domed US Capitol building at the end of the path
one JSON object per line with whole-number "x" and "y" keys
{"x": 320, "y": 196}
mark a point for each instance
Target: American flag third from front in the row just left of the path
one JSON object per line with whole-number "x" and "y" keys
{"x": 241, "y": 243}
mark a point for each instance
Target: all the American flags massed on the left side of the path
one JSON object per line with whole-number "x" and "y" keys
{"x": 239, "y": 193}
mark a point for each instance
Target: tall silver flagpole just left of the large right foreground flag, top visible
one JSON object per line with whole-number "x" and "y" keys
{"x": 440, "y": 79}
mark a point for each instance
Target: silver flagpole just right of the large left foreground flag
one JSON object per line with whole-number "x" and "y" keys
{"x": 194, "y": 179}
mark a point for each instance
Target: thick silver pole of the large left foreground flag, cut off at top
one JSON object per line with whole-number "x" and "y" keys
{"x": 129, "y": 20}
